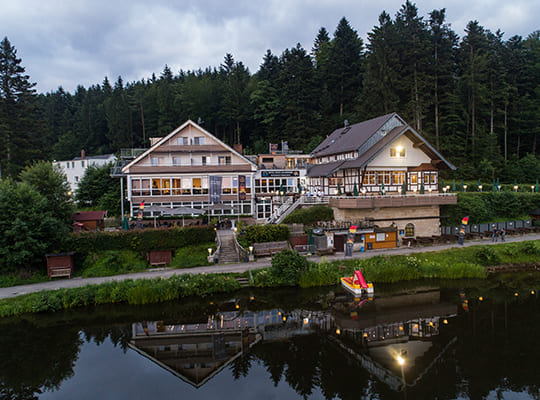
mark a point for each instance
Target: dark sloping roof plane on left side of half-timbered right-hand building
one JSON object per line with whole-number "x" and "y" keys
{"x": 351, "y": 137}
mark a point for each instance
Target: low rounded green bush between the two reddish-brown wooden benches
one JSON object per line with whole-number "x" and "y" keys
{"x": 113, "y": 262}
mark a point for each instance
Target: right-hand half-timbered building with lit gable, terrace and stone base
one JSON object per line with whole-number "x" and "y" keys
{"x": 381, "y": 170}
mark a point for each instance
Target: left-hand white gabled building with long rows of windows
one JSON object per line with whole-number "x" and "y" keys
{"x": 191, "y": 168}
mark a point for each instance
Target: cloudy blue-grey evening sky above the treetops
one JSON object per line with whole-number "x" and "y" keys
{"x": 66, "y": 43}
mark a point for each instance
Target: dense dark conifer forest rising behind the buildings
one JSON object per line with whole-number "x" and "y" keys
{"x": 476, "y": 98}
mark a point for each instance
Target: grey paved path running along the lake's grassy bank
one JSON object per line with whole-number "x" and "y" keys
{"x": 237, "y": 268}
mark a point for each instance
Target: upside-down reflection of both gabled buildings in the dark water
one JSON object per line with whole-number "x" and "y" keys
{"x": 376, "y": 333}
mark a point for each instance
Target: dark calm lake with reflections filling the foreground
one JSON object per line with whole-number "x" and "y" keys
{"x": 455, "y": 340}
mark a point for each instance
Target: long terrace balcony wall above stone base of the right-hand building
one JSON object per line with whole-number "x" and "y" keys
{"x": 409, "y": 200}
